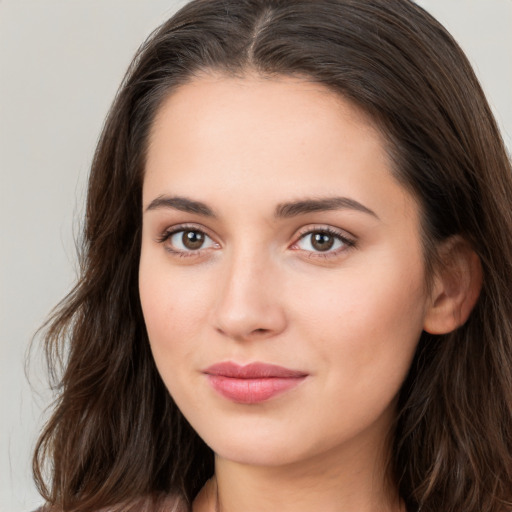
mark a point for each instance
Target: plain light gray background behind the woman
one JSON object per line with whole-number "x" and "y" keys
{"x": 60, "y": 64}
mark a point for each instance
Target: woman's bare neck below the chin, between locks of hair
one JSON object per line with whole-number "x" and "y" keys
{"x": 334, "y": 482}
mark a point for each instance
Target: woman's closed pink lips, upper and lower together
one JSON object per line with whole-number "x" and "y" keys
{"x": 253, "y": 383}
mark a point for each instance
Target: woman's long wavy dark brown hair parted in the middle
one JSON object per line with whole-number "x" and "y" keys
{"x": 116, "y": 435}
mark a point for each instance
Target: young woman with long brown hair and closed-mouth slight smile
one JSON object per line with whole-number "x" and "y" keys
{"x": 296, "y": 274}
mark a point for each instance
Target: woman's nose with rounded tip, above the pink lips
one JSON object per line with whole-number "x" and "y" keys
{"x": 249, "y": 305}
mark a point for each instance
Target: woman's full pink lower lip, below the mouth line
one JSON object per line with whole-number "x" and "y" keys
{"x": 252, "y": 391}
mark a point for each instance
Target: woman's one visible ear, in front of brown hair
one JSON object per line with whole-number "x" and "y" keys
{"x": 456, "y": 287}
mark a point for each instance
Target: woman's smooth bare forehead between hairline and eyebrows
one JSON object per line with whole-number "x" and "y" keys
{"x": 256, "y": 137}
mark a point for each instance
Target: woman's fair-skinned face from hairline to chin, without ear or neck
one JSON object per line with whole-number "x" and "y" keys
{"x": 275, "y": 236}
